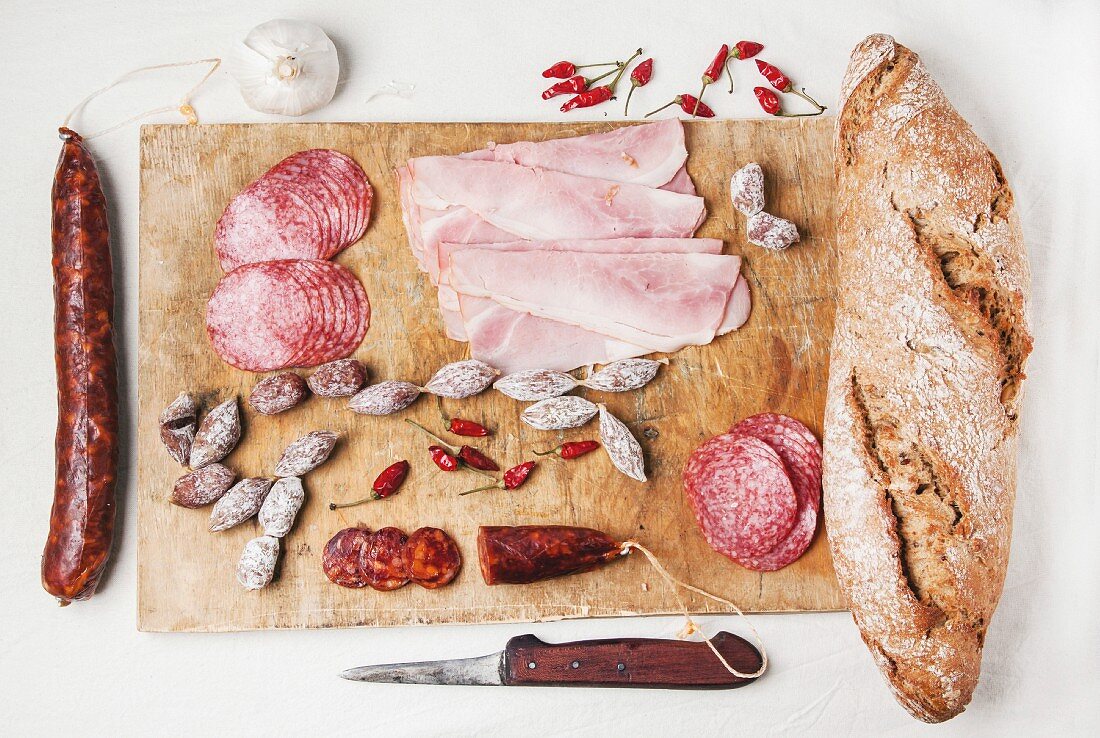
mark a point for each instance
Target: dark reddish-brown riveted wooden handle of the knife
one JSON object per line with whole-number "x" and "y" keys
{"x": 652, "y": 663}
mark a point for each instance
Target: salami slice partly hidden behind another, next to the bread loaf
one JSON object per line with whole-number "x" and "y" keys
{"x": 802, "y": 458}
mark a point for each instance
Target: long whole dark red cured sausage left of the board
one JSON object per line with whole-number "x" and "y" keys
{"x": 82, "y": 523}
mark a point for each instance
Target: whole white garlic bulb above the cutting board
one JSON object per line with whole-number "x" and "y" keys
{"x": 287, "y": 68}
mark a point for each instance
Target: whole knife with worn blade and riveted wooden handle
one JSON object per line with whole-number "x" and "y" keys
{"x": 527, "y": 662}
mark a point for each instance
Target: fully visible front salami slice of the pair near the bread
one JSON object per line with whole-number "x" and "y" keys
{"x": 741, "y": 494}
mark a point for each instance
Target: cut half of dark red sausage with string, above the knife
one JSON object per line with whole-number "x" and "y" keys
{"x": 522, "y": 555}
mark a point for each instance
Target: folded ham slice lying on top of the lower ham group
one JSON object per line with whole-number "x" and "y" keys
{"x": 662, "y": 302}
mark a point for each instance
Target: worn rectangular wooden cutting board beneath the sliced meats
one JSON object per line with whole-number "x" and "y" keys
{"x": 777, "y": 362}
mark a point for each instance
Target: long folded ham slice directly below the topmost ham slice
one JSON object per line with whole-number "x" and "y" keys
{"x": 543, "y": 205}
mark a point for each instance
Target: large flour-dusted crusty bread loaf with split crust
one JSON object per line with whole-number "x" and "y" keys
{"x": 927, "y": 365}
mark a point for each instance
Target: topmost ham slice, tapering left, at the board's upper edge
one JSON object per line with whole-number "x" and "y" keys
{"x": 652, "y": 155}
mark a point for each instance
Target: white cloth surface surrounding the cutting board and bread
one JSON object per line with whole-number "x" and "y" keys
{"x": 1025, "y": 74}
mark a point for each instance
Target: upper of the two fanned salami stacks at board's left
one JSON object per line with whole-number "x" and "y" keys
{"x": 312, "y": 205}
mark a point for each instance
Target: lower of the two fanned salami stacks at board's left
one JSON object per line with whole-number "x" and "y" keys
{"x": 288, "y": 313}
